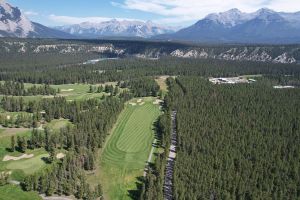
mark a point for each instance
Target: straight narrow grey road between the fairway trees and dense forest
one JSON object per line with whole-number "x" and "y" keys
{"x": 168, "y": 184}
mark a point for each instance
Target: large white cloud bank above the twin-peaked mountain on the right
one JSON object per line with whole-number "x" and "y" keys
{"x": 173, "y": 11}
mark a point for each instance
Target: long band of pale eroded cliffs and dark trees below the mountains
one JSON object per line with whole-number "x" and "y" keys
{"x": 154, "y": 50}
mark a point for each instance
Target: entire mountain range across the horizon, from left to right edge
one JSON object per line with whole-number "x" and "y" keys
{"x": 233, "y": 26}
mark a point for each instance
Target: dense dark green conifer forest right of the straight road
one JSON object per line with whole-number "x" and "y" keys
{"x": 235, "y": 142}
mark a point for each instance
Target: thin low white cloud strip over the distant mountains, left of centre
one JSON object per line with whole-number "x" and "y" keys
{"x": 78, "y": 20}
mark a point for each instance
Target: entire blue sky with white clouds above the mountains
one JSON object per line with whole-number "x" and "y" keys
{"x": 167, "y": 12}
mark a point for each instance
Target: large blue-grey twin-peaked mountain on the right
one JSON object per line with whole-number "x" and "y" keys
{"x": 234, "y": 26}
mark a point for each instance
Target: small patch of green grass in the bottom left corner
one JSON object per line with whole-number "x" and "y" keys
{"x": 12, "y": 192}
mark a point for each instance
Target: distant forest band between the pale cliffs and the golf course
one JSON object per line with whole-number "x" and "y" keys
{"x": 125, "y": 69}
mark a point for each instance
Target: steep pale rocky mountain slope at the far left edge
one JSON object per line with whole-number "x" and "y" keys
{"x": 13, "y": 23}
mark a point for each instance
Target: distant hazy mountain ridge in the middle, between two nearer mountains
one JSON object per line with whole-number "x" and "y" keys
{"x": 116, "y": 28}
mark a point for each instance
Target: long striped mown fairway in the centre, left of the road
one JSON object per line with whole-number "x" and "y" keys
{"x": 126, "y": 152}
